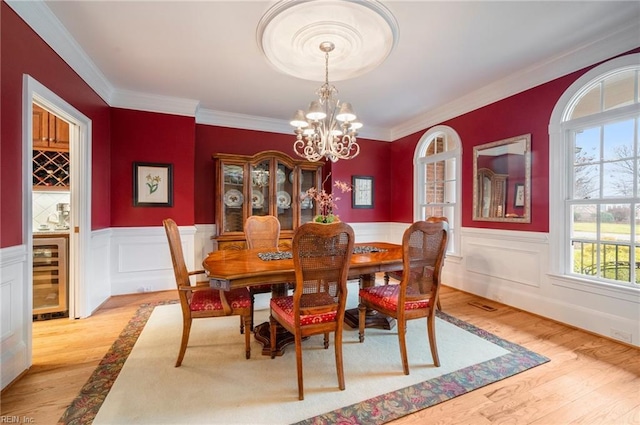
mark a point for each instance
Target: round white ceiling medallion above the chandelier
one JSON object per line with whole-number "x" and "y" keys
{"x": 364, "y": 33}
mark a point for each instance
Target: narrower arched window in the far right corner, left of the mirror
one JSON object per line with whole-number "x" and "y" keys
{"x": 437, "y": 179}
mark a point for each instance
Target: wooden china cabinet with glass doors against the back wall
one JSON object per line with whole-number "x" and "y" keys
{"x": 268, "y": 183}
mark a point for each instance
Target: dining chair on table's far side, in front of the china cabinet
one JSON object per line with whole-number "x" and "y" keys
{"x": 261, "y": 232}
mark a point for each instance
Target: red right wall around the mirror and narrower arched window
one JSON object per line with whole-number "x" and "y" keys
{"x": 526, "y": 112}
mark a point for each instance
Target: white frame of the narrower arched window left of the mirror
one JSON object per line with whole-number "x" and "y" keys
{"x": 419, "y": 161}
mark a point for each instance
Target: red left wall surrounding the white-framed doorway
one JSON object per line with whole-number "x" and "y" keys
{"x": 23, "y": 52}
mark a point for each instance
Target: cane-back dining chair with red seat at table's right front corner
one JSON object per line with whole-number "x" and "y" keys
{"x": 423, "y": 247}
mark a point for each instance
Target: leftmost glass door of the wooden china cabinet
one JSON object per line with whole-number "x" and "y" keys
{"x": 233, "y": 197}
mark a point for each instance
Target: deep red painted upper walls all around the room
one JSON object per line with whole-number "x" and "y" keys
{"x": 121, "y": 137}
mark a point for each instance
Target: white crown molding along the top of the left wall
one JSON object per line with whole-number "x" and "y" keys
{"x": 40, "y": 18}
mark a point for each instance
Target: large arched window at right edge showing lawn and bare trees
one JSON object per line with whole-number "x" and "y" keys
{"x": 595, "y": 155}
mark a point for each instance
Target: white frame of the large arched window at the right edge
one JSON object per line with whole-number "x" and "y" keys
{"x": 559, "y": 178}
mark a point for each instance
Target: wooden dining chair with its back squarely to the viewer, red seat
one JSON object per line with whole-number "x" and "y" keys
{"x": 321, "y": 256}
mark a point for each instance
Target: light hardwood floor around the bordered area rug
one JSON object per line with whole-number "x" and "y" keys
{"x": 589, "y": 380}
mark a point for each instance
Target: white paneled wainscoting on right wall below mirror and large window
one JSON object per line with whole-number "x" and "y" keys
{"x": 513, "y": 268}
